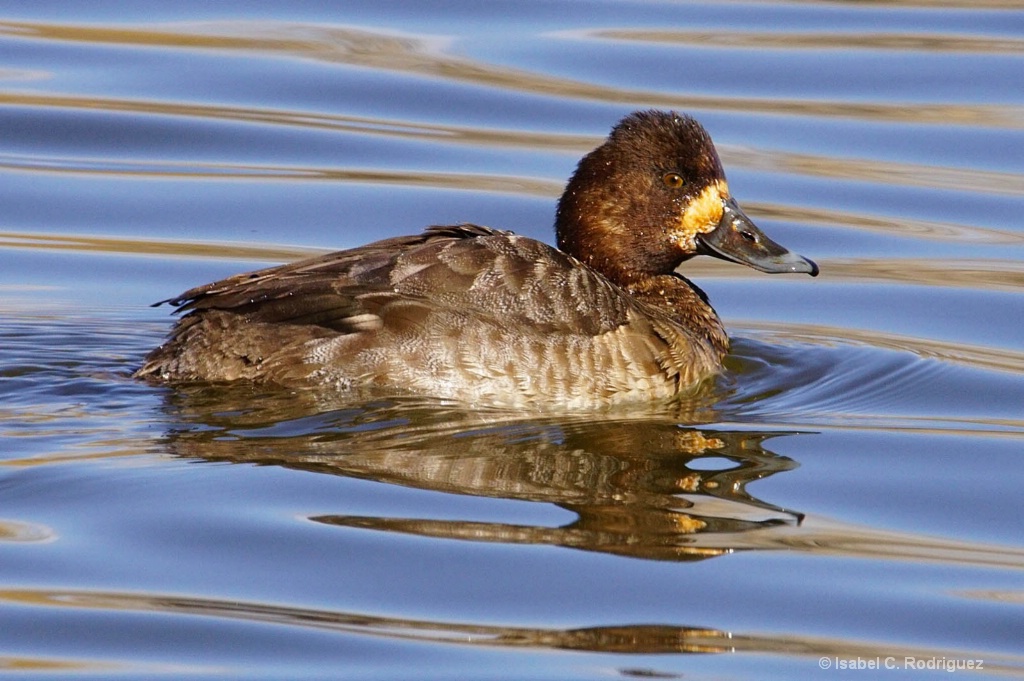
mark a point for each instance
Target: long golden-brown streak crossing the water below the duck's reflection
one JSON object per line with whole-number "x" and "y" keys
{"x": 620, "y": 639}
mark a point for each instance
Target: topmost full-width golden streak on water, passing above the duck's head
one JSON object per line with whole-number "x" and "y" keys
{"x": 425, "y": 56}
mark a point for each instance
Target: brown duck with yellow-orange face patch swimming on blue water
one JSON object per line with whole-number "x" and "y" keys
{"x": 488, "y": 318}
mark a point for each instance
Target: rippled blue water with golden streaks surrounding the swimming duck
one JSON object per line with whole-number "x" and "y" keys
{"x": 847, "y": 496}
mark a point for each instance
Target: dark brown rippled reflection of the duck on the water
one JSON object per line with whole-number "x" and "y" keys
{"x": 641, "y": 486}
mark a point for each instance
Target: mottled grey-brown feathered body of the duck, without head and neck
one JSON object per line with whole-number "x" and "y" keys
{"x": 463, "y": 313}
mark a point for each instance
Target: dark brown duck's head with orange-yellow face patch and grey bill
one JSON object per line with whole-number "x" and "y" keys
{"x": 655, "y": 195}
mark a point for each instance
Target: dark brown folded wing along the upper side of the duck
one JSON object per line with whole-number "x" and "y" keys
{"x": 479, "y": 271}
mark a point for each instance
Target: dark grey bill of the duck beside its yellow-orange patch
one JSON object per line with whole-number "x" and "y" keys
{"x": 739, "y": 240}
